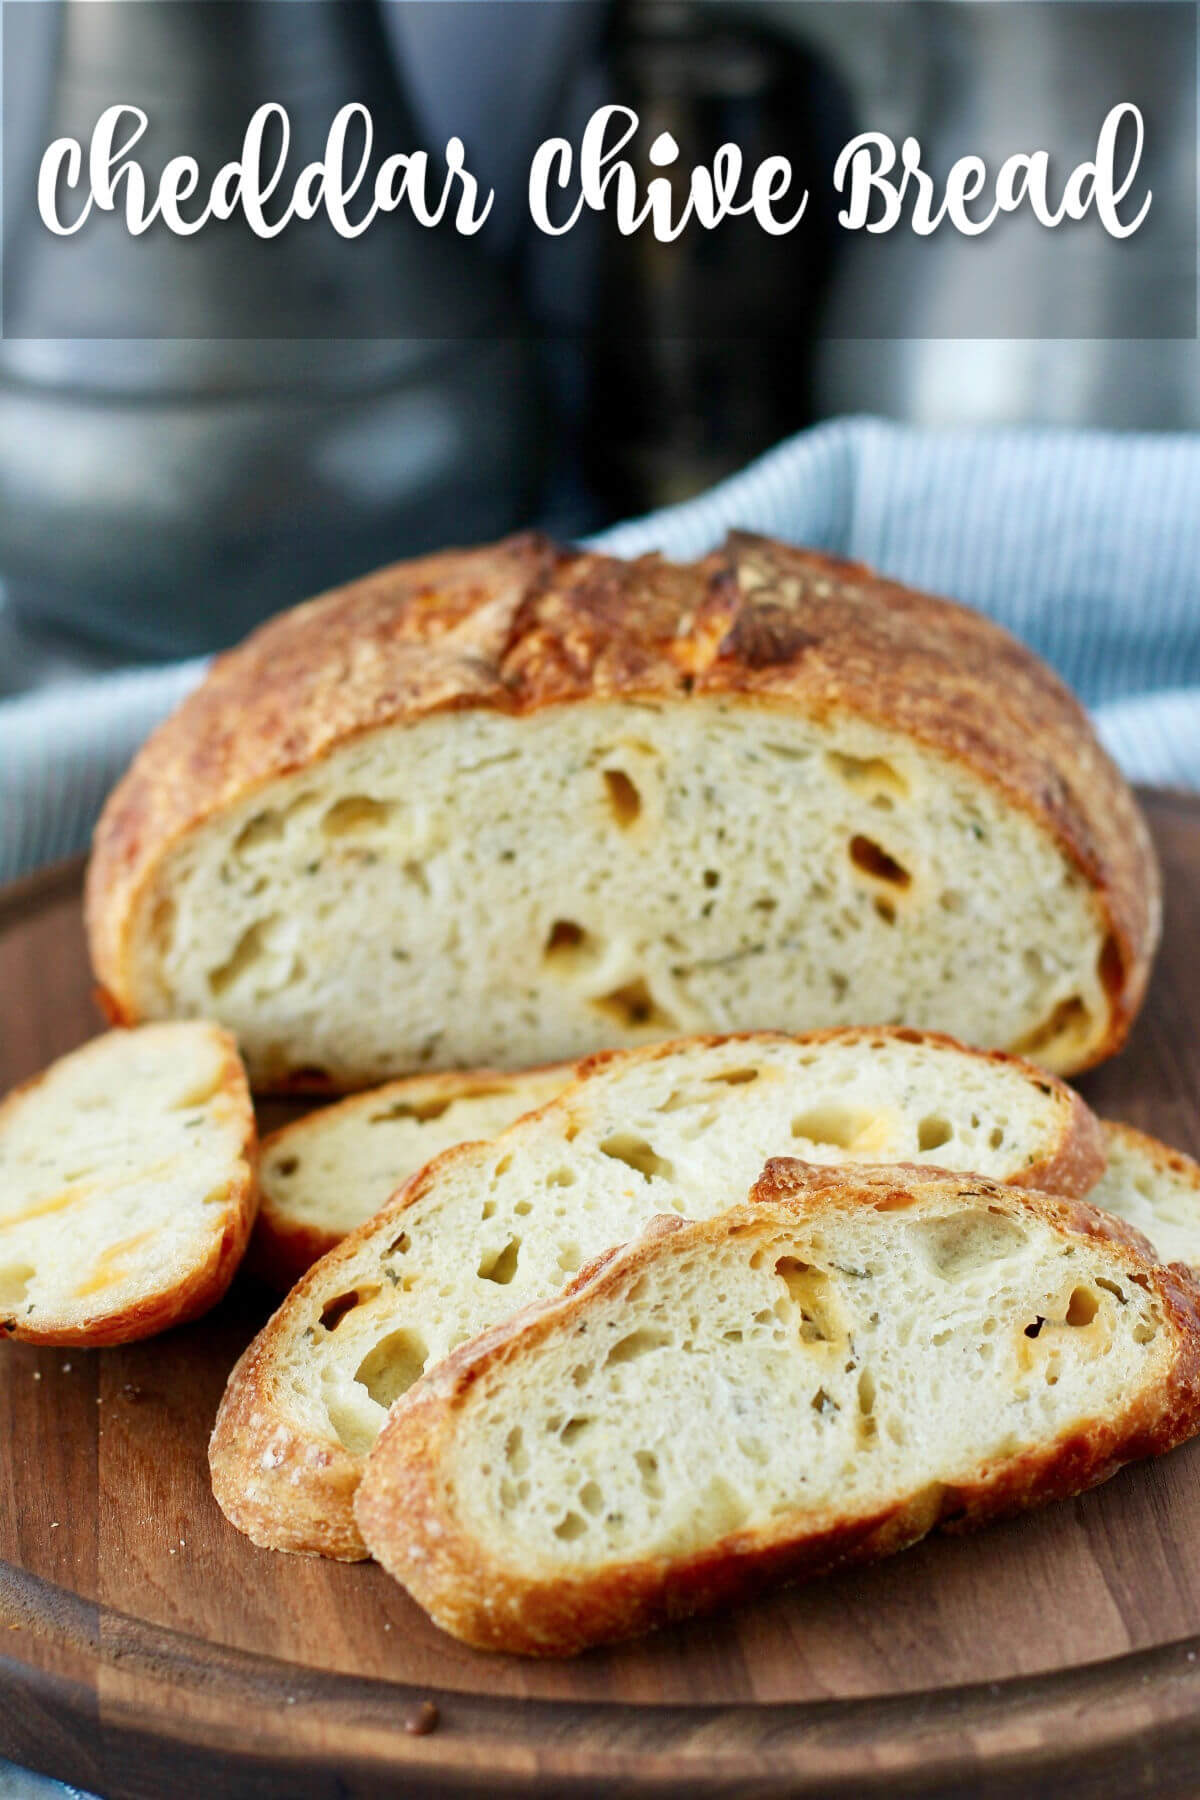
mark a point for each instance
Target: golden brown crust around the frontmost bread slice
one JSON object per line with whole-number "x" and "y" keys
{"x": 407, "y": 1513}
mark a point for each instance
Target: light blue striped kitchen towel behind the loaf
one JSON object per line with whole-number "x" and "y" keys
{"x": 1086, "y": 544}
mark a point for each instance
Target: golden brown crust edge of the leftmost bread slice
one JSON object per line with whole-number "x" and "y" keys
{"x": 206, "y": 1282}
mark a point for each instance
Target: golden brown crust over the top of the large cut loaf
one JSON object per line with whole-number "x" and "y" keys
{"x": 524, "y": 625}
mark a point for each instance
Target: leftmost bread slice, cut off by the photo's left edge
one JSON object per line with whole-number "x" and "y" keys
{"x": 127, "y": 1187}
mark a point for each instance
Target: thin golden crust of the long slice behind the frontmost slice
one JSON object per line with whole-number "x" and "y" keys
{"x": 292, "y": 1489}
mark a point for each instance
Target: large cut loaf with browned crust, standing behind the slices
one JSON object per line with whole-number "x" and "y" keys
{"x": 512, "y": 805}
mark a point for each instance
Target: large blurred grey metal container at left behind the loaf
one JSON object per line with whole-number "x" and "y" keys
{"x": 197, "y": 431}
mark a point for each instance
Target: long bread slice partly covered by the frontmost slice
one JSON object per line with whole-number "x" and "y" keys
{"x": 488, "y": 1228}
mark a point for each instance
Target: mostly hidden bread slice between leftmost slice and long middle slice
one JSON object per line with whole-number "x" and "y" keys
{"x": 332, "y": 1171}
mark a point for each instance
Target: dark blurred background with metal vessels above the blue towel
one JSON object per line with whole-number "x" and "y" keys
{"x": 195, "y": 433}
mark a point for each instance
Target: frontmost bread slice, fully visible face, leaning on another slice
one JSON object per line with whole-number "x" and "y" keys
{"x": 812, "y": 1380}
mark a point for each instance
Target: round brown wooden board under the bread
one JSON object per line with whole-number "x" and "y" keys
{"x": 148, "y": 1651}
